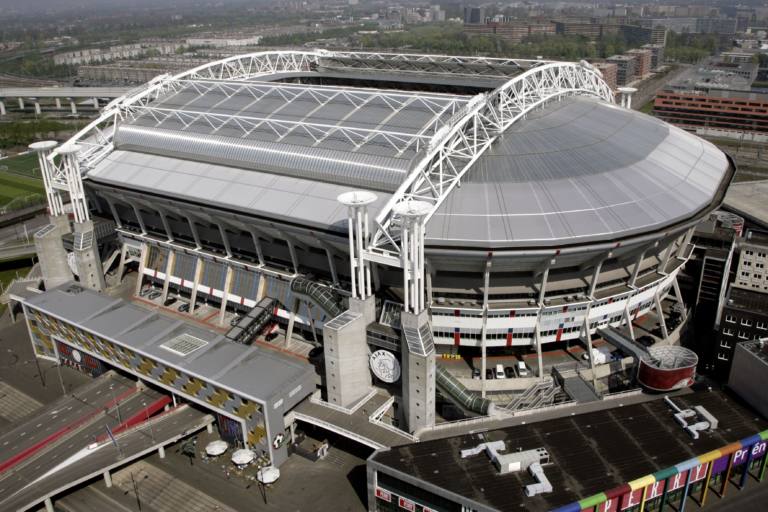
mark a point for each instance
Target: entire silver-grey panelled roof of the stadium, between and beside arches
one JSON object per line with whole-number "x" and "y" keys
{"x": 574, "y": 170}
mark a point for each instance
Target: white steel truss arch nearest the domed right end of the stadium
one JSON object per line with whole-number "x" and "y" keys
{"x": 454, "y": 148}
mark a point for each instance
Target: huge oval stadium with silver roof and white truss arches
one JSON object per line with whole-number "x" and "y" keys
{"x": 458, "y": 203}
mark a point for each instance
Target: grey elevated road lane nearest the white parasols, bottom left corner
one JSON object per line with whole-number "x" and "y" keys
{"x": 133, "y": 444}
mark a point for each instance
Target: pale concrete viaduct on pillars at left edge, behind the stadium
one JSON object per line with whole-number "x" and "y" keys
{"x": 33, "y": 94}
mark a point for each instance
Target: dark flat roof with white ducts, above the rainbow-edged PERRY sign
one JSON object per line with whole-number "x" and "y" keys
{"x": 590, "y": 452}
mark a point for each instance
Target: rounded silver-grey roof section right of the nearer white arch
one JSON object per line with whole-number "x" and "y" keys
{"x": 580, "y": 170}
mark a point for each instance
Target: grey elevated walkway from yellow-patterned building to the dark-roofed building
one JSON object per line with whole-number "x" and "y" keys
{"x": 355, "y": 424}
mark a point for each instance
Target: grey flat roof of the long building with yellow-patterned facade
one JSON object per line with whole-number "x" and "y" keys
{"x": 251, "y": 371}
